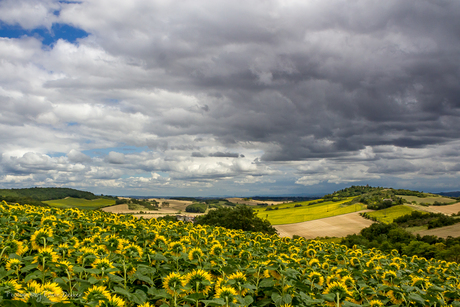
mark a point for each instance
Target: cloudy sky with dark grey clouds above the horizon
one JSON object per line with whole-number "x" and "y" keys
{"x": 229, "y": 98}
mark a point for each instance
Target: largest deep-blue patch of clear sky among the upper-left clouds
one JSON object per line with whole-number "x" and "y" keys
{"x": 47, "y": 37}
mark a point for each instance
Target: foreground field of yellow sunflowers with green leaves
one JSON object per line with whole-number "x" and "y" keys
{"x": 68, "y": 257}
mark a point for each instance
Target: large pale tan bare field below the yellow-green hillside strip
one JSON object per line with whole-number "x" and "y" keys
{"x": 336, "y": 226}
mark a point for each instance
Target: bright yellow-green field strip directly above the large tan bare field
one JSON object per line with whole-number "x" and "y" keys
{"x": 288, "y": 214}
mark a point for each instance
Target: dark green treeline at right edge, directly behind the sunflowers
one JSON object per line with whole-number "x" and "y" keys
{"x": 387, "y": 237}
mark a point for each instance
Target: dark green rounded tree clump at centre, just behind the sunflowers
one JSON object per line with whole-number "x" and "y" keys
{"x": 240, "y": 217}
